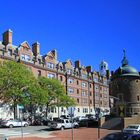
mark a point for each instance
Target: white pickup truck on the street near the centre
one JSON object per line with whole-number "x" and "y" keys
{"x": 62, "y": 124}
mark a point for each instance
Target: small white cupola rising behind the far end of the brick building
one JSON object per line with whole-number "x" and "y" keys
{"x": 103, "y": 68}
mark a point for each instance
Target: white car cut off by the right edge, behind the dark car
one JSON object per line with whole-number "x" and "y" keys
{"x": 132, "y": 128}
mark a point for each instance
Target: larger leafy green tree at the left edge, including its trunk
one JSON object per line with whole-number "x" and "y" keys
{"x": 15, "y": 80}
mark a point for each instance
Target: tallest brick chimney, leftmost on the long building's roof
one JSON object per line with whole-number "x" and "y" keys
{"x": 7, "y": 37}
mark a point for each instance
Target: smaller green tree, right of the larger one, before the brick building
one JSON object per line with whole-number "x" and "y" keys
{"x": 55, "y": 92}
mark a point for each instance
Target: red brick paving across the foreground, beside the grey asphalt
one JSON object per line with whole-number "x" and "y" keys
{"x": 78, "y": 134}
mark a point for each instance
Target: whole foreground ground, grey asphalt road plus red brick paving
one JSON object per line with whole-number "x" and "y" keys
{"x": 42, "y": 133}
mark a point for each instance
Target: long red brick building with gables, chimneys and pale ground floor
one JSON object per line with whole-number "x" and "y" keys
{"x": 89, "y": 89}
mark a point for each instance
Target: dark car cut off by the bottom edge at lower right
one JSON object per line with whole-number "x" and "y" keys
{"x": 117, "y": 136}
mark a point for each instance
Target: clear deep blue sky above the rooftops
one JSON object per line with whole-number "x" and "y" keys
{"x": 85, "y": 30}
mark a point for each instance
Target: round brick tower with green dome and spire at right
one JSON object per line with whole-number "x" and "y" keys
{"x": 125, "y": 87}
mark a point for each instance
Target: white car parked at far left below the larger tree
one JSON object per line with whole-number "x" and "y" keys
{"x": 14, "y": 123}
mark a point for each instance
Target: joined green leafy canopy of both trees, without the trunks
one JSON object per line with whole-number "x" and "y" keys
{"x": 18, "y": 85}
